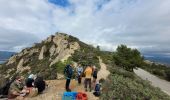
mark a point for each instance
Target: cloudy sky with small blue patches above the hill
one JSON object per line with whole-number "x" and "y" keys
{"x": 141, "y": 24}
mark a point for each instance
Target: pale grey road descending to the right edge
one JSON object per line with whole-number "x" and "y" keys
{"x": 155, "y": 81}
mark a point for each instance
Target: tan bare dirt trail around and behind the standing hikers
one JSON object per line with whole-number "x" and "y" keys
{"x": 56, "y": 87}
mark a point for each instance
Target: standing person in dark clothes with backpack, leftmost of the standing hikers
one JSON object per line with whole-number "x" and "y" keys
{"x": 68, "y": 71}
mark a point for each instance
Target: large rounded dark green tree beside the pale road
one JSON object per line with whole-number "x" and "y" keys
{"x": 127, "y": 58}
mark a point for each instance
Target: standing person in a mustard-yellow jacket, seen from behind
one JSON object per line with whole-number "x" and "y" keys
{"x": 88, "y": 75}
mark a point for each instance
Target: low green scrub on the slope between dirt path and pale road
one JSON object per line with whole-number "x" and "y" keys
{"x": 120, "y": 87}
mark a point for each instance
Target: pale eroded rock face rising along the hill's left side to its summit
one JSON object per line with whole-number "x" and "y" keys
{"x": 55, "y": 48}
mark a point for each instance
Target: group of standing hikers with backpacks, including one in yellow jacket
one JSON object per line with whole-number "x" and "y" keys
{"x": 90, "y": 75}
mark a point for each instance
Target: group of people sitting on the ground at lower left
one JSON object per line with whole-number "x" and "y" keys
{"x": 21, "y": 87}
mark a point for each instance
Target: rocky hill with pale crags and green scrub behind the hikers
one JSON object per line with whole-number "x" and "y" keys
{"x": 49, "y": 57}
